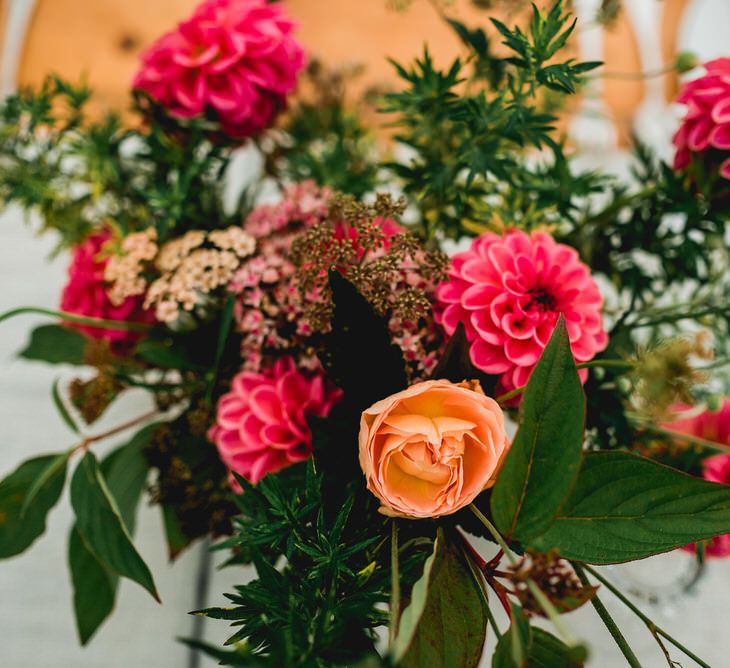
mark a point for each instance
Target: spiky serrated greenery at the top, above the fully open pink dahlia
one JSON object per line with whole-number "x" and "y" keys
{"x": 468, "y": 134}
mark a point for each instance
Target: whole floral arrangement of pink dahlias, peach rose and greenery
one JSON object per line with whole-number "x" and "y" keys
{"x": 339, "y": 402}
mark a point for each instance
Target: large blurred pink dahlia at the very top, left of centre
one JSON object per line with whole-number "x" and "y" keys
{"x": 237, "y": 58}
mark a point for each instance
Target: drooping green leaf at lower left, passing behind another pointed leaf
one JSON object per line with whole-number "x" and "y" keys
{"x": 94, "y": 584}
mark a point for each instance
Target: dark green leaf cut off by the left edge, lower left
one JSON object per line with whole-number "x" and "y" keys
{"x": 18, "y": 530}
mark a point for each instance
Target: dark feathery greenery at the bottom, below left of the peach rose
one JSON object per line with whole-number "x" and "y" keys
{"x": 322, "y": 606}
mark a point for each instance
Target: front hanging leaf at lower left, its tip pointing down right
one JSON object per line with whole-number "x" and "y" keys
{"x": 100, "y": 524}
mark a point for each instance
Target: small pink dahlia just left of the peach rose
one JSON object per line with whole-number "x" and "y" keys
{"x": 261, "y": 424}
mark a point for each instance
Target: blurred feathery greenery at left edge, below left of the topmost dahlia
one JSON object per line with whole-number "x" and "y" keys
{"x": 79, "y": 174}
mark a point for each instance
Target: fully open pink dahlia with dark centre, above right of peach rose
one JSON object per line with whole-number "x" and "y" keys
{"x": 509, "y": 292}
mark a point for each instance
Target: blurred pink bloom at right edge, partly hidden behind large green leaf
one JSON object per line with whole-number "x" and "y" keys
{"x": 712, "y": 427}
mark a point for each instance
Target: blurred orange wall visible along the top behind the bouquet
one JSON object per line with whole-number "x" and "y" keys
{"x": 102, "y": 40}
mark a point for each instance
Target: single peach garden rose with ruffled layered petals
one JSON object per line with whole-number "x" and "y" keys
{"x": 431, "y": 449}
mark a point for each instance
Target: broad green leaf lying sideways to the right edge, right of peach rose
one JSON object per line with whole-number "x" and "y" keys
{"x": 625, "y": 507}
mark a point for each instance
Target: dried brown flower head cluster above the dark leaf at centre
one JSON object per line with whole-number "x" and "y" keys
{"x": 389, "y": 266}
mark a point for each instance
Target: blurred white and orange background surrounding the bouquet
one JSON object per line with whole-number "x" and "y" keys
{"x": 100, "y": 41}
